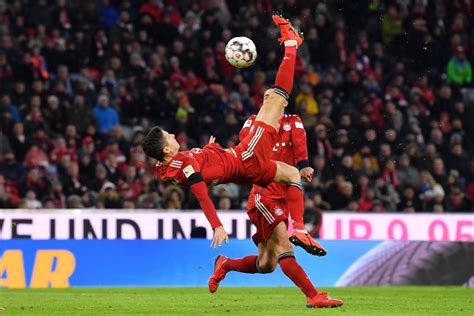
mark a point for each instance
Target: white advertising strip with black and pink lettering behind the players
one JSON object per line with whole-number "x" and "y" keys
{"x": 100, "y": 224}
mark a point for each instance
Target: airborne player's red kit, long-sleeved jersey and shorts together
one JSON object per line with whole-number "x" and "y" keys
{"x": 248, "y": 162}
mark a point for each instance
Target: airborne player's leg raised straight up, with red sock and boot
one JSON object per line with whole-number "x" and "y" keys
{"x": 277, "y": 98}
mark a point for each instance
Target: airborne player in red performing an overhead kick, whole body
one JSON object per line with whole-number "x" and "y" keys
{"x": 247, "y": 163}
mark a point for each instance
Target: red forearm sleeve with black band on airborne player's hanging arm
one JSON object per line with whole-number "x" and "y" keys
{"x": 199, "y": 189}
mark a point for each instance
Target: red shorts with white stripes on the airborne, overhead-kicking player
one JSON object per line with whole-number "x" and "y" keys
{"x": 255, "y": 150}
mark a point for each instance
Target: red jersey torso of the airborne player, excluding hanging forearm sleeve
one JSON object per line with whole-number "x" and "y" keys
{"x": 214, "y": 163}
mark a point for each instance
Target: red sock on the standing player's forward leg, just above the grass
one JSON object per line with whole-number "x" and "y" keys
{"x": 295, "y": 273}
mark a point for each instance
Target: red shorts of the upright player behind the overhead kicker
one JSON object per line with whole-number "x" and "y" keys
{"x": 266, "y": 214}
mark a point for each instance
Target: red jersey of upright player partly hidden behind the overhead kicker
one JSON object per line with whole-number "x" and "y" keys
{"x": 290, "y": 148}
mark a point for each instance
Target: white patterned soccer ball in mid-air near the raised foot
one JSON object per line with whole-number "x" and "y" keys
{"x": 241, "y": 52}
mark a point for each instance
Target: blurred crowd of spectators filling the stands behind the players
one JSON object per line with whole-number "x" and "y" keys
{"x": 379, "y": 86}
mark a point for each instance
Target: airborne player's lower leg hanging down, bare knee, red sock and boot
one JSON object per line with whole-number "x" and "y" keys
{"x": 295, "y": 200}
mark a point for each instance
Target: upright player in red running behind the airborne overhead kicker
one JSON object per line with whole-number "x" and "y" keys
{"x": 268, "y": 211}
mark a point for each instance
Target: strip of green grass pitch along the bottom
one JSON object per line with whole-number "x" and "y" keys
{"x": 243, "y": 301}
